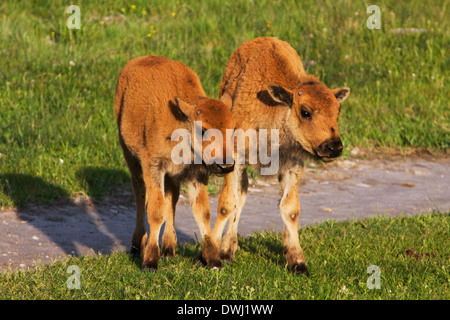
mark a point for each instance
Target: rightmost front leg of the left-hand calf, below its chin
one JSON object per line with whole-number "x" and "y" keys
{"x": 198, "y": 197}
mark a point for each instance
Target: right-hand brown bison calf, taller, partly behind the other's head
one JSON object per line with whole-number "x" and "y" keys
{"x": 269, "y": 89}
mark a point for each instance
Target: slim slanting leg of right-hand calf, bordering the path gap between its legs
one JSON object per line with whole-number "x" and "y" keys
{"x": 230, "y": 242}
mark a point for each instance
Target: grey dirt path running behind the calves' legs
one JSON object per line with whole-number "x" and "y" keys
{"x": 347, "y": 189}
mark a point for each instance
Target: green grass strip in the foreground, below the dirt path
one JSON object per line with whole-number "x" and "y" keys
{"x": 338, "y": 255}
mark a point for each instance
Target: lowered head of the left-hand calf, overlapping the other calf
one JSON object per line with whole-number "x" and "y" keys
{"x": 210, "y": 139}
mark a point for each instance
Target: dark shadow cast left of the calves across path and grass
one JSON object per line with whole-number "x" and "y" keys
{"x": 76, "y": 225}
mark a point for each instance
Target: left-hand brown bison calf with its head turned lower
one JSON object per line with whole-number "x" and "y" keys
{"x": 155, "y": 97}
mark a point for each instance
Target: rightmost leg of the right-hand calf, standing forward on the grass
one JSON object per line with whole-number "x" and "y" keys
{"x": 290, "y": 210}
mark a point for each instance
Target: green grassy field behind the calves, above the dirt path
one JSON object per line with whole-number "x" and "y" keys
{"x": 58, "y": 136}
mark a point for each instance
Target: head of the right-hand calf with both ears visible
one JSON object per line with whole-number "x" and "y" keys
{"x": 313, "y": 120}
